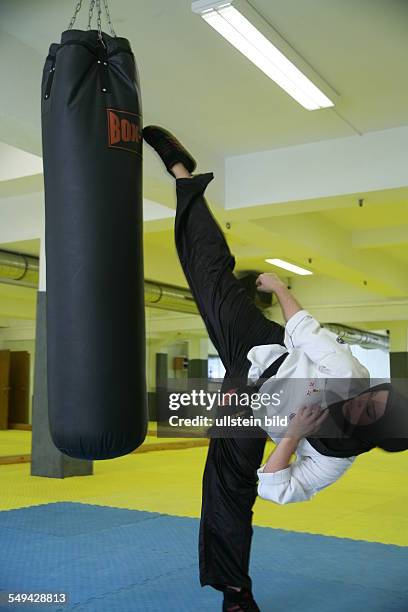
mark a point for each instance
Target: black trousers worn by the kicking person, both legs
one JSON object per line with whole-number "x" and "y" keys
{"x": 234, "y": 325}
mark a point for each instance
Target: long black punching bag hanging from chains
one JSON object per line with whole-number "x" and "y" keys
{"x": 92, "y": 151}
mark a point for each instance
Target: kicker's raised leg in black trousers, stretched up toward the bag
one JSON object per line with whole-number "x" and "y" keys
{"x": 233, "y": 322}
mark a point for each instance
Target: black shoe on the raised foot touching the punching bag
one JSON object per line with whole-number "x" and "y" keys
{"x": 168, "y": 147}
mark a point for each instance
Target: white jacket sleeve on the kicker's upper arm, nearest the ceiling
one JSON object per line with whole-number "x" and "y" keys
{"x": 333, "y": 358}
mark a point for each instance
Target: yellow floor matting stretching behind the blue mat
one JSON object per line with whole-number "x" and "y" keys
{"x": 369, "y": 502}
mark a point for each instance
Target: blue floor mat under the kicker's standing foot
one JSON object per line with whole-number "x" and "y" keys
{"x": 116, "y": 560}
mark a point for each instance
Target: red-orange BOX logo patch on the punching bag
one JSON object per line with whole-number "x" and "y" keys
{"x": 124, "y": 131}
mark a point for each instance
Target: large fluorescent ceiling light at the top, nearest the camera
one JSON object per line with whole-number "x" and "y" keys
{"x": 240, "y": 32}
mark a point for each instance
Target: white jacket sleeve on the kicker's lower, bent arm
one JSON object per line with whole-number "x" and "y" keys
{"x": 302, "y": 479}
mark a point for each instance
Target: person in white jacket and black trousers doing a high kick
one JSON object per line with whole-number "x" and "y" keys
{"x": 250, "y": 347}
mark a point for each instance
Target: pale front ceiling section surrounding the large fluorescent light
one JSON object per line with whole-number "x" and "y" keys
{"x": 200, "y": 86}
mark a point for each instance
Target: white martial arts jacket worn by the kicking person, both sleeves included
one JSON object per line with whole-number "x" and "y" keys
{"x": 315, "y": 355}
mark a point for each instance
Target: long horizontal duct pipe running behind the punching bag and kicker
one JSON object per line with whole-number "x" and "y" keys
{"x": 23, "y": 270}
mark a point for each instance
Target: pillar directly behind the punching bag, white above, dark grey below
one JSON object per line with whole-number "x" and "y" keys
{"x": 46, "y": 459}
